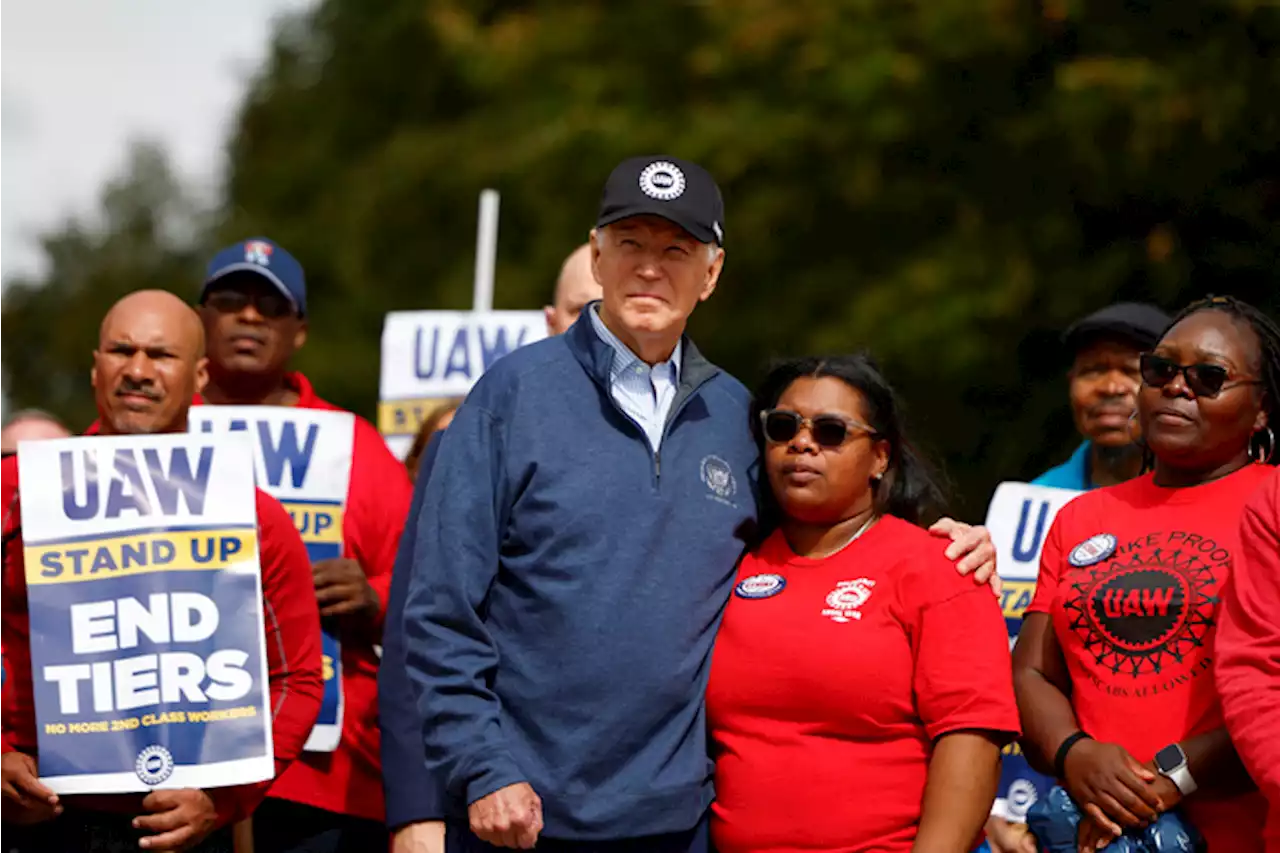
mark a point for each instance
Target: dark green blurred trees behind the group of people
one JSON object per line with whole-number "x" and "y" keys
{"x": 945, "y": 183}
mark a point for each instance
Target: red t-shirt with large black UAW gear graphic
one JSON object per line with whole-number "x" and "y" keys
{"x": 1132, "y": 577}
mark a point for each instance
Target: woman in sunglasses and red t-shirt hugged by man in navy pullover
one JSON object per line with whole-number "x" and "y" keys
{"x": 861, "y": 690}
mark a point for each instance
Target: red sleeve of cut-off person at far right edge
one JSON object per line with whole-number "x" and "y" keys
{"x": 1249, "y": 642}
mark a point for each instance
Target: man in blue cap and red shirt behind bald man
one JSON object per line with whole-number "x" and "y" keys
{"x": 254, "y": 307}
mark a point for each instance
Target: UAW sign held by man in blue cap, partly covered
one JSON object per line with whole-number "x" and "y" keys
{"x": 303, "y": 459}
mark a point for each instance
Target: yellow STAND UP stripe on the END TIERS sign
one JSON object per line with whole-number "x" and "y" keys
{"x": 138, "y": 555}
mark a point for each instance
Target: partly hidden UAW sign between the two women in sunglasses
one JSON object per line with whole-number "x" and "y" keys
{"x": 1020, "y": 518}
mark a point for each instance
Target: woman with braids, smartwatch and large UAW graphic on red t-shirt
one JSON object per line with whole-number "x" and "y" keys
{"x": 1114, "y": 665}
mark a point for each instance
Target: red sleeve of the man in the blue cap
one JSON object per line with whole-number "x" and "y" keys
{"x": 378, "y": 500}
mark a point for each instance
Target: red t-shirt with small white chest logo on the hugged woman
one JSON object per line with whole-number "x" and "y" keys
{"x": 830, "y": 682}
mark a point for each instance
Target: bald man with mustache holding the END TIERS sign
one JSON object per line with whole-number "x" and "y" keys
{"x": 149, "y": 364}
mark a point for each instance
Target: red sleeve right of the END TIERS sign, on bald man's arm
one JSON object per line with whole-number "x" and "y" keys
{"x": 292, "y": 627}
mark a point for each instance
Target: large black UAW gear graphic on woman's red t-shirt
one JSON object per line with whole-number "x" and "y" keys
{"x": 1146, "y": 614}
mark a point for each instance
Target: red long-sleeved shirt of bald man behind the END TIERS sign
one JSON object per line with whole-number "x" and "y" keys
{"x": 292, "y": 631}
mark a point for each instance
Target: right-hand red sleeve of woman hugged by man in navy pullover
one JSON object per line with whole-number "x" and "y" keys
{"x": 963, "y": 672}
